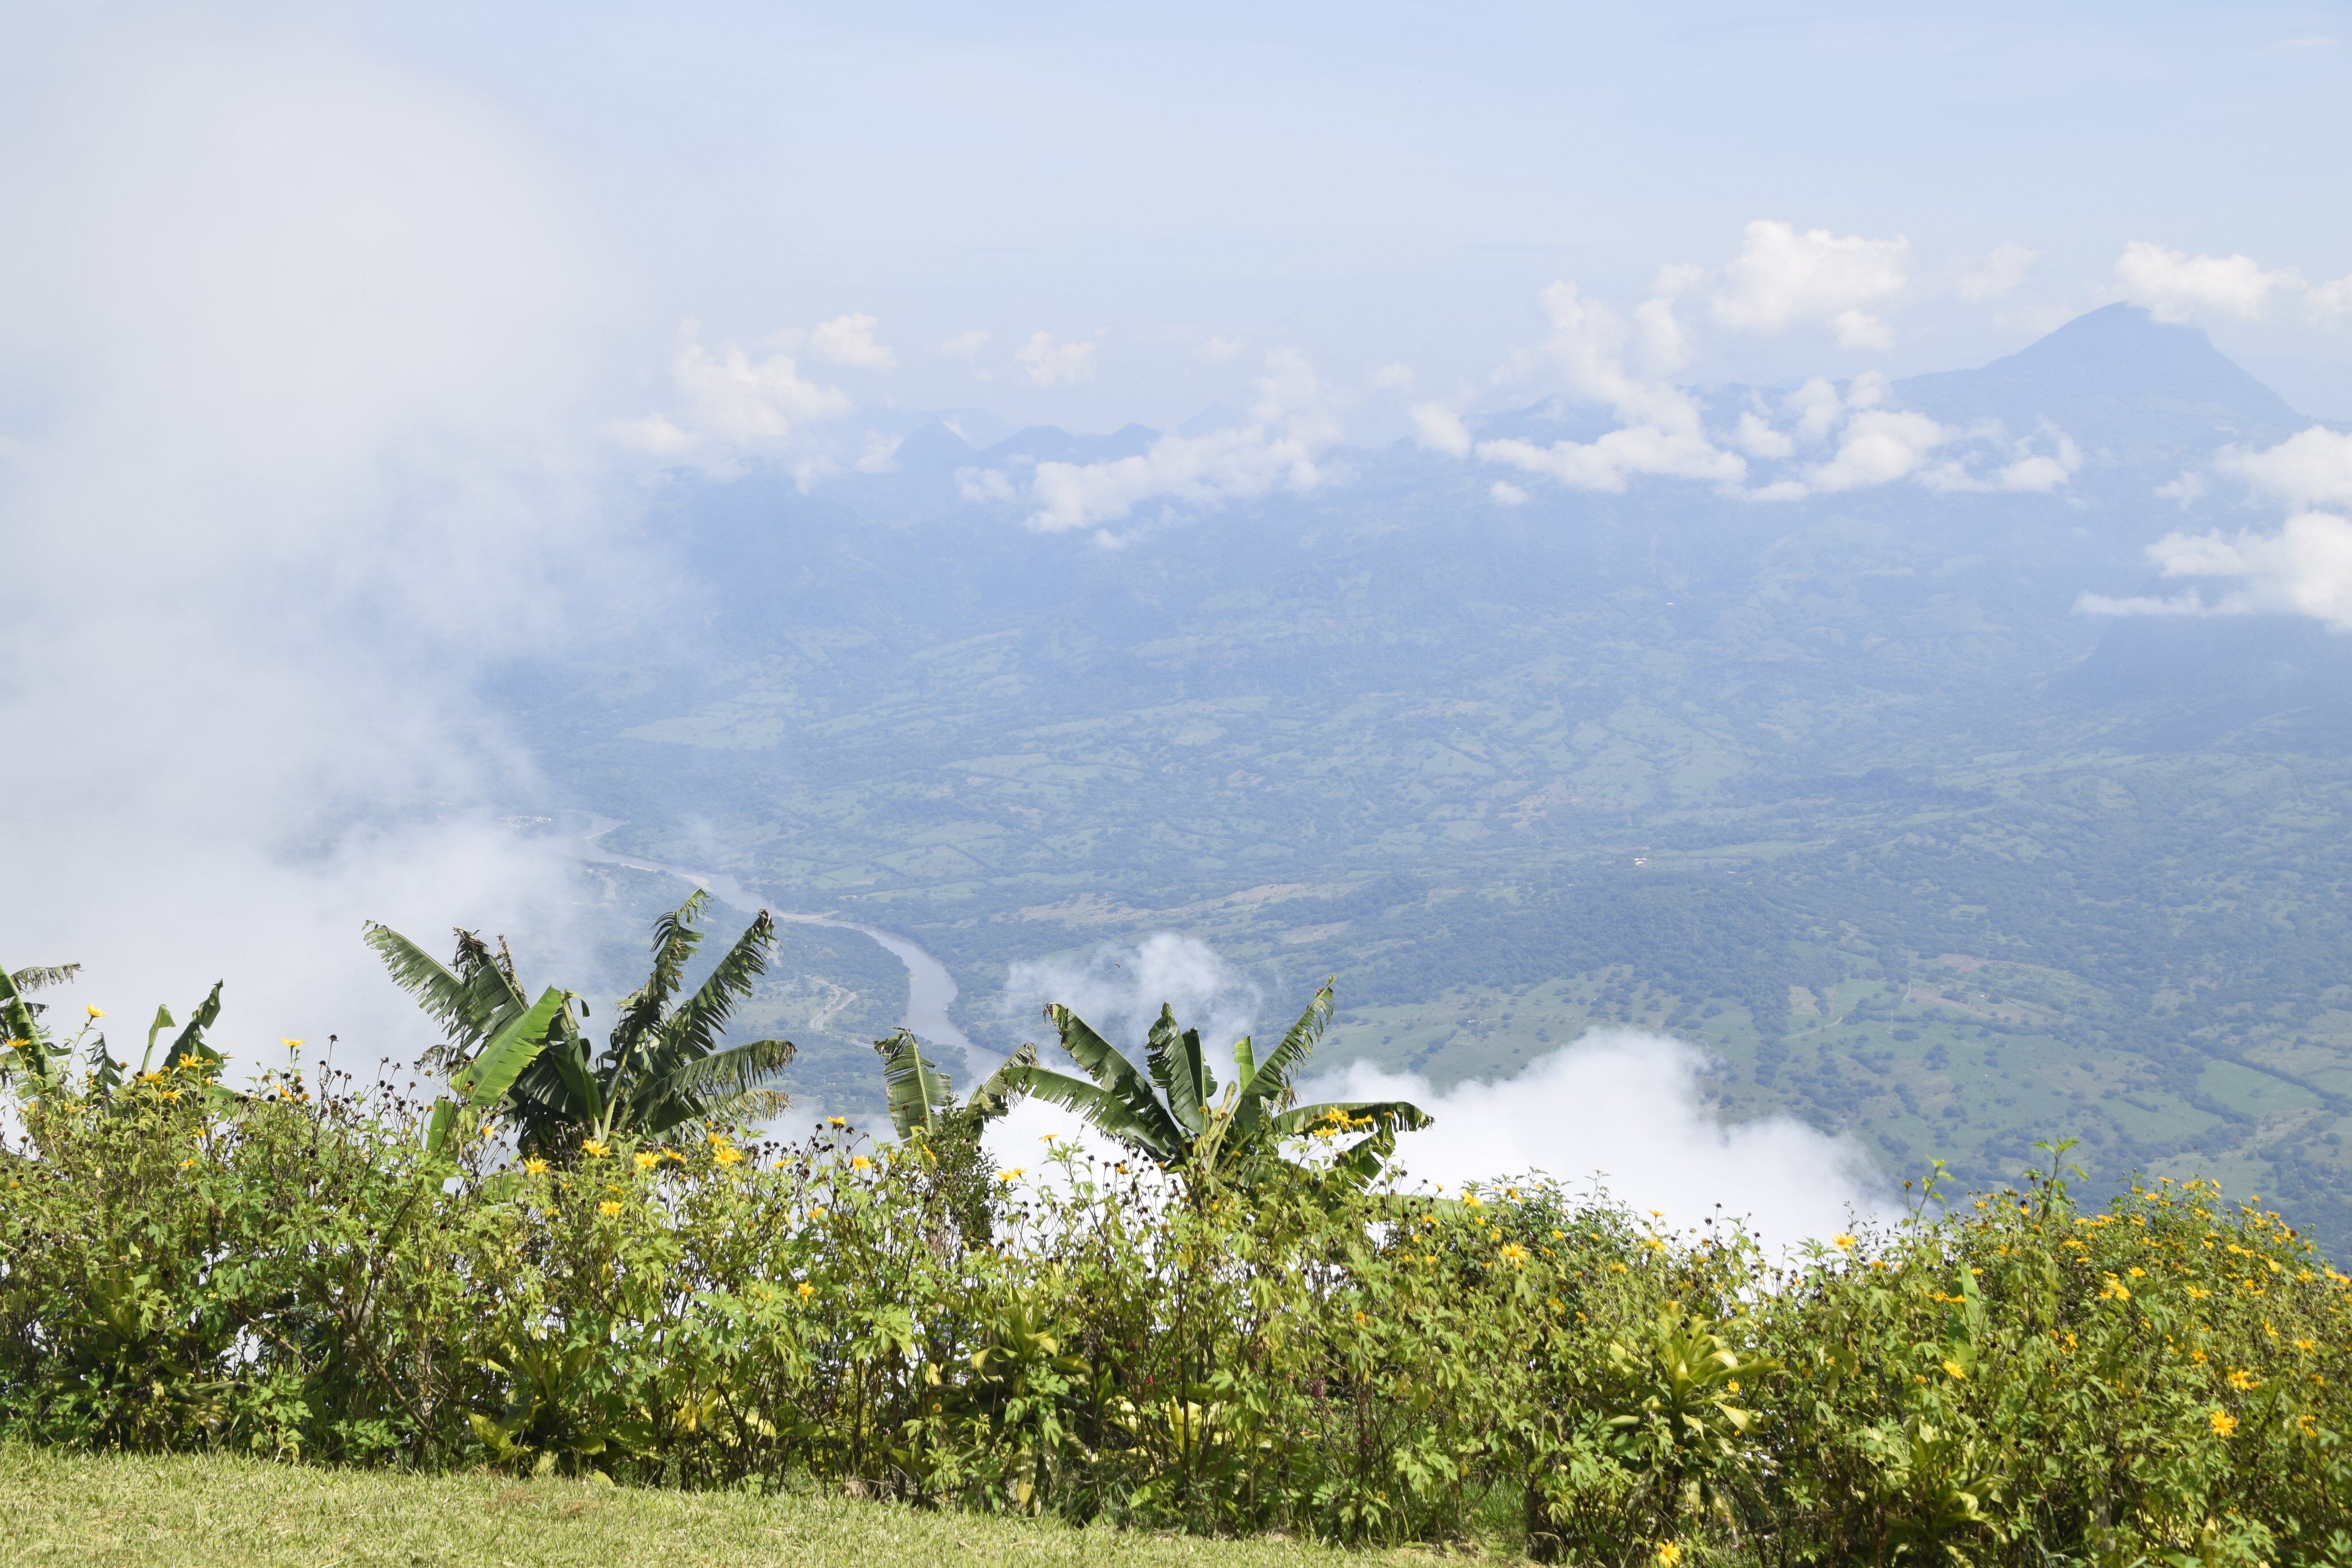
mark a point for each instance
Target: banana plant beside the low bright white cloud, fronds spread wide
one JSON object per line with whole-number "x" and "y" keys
{"x": 1172, "y": 1113}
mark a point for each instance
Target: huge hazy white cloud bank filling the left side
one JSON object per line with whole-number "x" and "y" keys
{"x": 347, "y": 321}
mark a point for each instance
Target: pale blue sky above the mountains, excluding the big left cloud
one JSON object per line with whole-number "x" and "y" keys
{"x": 1396, "y": 182}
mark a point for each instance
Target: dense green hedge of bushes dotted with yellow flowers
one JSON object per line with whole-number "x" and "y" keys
{"x": 293, "y": 1275}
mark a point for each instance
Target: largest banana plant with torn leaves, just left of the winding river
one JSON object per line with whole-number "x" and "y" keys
{"x": 533, "y": 1066}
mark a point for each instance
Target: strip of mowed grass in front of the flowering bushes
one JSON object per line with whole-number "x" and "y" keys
{"x": 211, "y": 1510}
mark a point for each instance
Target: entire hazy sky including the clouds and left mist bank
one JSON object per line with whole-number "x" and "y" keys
{"x": 340, "y": 342}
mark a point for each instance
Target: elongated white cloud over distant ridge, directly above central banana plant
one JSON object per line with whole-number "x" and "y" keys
{"x": 1290, "y": 424}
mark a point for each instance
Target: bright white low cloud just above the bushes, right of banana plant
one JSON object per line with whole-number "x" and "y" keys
{"x": 1629, "y": 1113}
